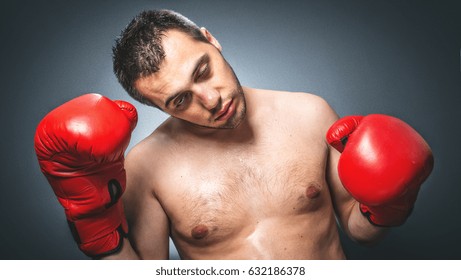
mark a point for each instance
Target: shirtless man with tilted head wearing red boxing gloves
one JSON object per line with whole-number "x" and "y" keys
{"x": 234, "y": 173}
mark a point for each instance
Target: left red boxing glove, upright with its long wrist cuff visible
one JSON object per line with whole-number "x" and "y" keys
{"x": 80, "y": 148}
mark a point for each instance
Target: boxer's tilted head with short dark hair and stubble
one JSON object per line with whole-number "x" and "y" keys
{"x": 165, "y": 60}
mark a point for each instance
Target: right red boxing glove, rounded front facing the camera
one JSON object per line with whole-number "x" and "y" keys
{"x": 383, "y": 165}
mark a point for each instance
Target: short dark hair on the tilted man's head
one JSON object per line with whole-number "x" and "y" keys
{"x": 138, "y": 51}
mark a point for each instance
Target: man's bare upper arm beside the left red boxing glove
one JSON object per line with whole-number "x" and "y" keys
{"x": 148, "y": 223}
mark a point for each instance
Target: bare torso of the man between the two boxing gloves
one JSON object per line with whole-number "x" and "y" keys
{"x": 263, "y": 196}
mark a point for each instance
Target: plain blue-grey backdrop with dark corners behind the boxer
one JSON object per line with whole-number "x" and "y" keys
{"x": 394, "y": 57}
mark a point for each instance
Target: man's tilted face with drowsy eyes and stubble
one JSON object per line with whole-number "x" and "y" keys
{"x": 195, "y": 83}
